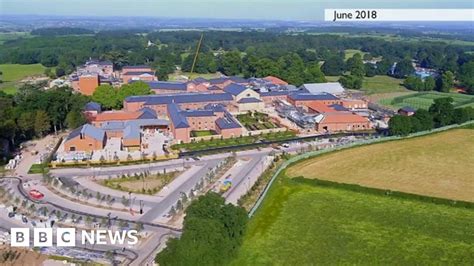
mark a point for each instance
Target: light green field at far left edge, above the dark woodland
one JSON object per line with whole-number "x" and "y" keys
{"x": 13, "y": 73}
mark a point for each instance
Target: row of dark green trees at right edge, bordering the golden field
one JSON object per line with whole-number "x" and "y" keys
{"x": 441, "y": 113}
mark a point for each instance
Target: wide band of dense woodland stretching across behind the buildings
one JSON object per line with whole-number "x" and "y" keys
{"x": 297, "y": 58}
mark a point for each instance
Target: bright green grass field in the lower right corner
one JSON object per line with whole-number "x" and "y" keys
{"x": 308, "y": 224}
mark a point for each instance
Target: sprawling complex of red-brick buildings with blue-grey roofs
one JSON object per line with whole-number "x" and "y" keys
{"x": 177, "y": 110}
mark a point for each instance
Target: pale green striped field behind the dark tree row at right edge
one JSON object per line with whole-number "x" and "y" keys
{"x": 425, "y": 99}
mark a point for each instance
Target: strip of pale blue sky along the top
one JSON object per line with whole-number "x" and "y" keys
{"x": 226, "y": 9}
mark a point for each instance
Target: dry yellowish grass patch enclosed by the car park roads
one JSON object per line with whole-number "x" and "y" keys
{"x": 138, "y": 184}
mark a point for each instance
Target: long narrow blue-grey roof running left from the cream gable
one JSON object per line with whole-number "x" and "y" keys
{"x": 180, "y": 98}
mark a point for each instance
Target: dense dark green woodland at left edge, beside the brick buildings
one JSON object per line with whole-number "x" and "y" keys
{"x": 34, "y": 112}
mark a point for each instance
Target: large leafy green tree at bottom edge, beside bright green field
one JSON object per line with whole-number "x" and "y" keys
{"x": 212, "y": 233}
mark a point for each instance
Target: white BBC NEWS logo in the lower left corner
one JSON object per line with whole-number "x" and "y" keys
{"x": 66, "y": 237}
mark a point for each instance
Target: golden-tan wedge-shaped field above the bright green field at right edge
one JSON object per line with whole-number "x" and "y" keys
{"x": 438, "y": 165}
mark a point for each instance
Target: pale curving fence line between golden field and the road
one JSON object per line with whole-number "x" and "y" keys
{"x": 359, "y": 143}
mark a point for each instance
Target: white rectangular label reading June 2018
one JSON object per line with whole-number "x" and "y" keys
{"x": 367, "y": 14}
